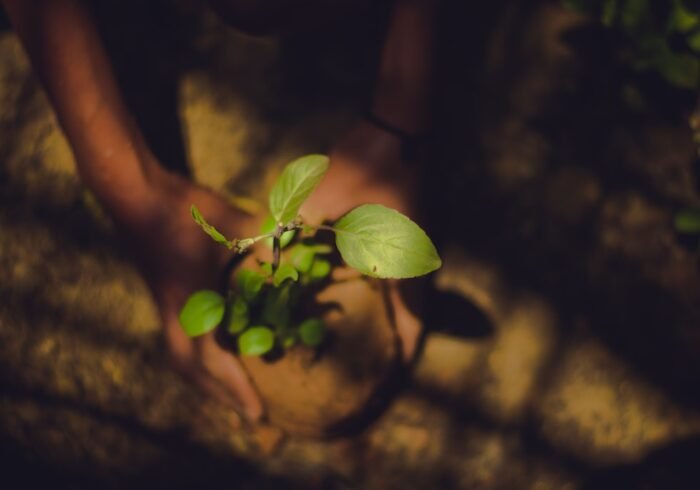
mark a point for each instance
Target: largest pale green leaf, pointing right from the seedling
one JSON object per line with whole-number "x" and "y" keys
{"x": 382, "y": 242}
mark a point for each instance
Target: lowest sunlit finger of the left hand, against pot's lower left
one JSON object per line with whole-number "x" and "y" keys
{"x": 229, "y": 373}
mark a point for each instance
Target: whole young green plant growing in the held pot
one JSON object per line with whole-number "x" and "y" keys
{"x": 265, "y": 309}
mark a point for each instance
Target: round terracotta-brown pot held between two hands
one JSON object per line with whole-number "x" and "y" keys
{"x": 341, "y": 386}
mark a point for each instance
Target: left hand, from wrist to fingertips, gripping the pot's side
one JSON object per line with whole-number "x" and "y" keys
{"x": 177, "y": 259}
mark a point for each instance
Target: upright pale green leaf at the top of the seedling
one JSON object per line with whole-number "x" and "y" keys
{"x": 295, "y": 185}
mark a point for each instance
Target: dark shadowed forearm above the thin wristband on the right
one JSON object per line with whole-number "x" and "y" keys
{"x": 403, "y": 90}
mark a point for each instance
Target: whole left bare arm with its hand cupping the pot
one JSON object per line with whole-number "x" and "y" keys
{"x": 150, "y": 205}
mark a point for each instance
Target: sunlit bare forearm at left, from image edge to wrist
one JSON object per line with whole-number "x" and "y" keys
{"x": 68, "y": 56}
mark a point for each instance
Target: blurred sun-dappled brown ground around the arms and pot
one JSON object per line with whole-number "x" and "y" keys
{"x": 565, "y": 353}
